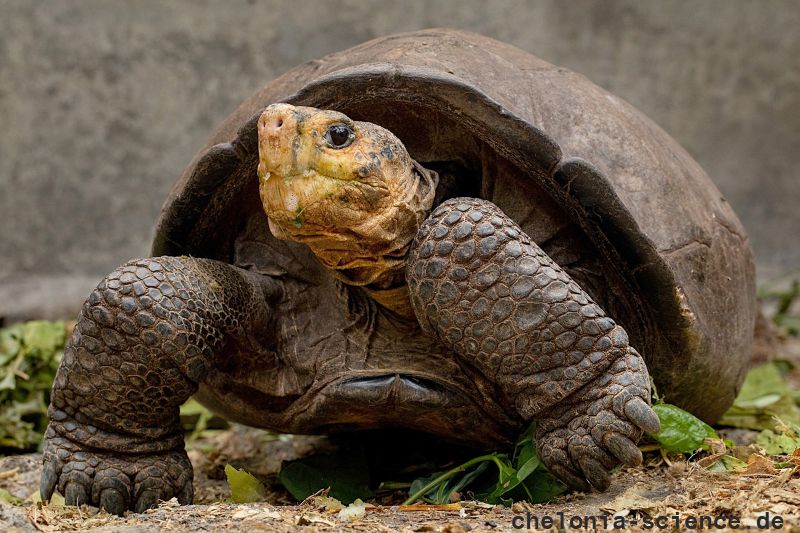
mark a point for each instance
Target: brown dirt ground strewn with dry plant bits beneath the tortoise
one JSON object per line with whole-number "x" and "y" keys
{"x": 676, "y": 489}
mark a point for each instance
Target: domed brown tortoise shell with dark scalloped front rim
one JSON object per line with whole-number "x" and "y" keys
{"x": 603, "y": 190}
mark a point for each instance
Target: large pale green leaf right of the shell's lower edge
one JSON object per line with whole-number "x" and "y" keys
{"x": 763, "y": 397}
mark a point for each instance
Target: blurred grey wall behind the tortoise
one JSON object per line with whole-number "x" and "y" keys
{"x": 103, "y": 103}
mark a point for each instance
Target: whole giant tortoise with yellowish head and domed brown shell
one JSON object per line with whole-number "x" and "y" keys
{"x": 433, "y": 231}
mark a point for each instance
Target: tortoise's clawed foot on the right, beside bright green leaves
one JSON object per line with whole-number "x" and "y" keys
{"x": 597, "y": 428}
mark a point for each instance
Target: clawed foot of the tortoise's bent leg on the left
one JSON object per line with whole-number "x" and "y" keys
{"x": 113, "y": 481}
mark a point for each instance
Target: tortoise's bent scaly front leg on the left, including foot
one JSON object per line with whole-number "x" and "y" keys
{"x": 144, "y": 340}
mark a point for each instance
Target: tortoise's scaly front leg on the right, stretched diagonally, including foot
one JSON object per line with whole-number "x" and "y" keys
{"x": 481, "y": 286}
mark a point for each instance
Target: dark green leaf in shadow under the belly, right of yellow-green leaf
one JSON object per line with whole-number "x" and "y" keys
{"x": 346, "y": 474}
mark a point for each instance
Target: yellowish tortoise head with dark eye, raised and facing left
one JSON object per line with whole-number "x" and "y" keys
{"x": 347, "y": 189}
